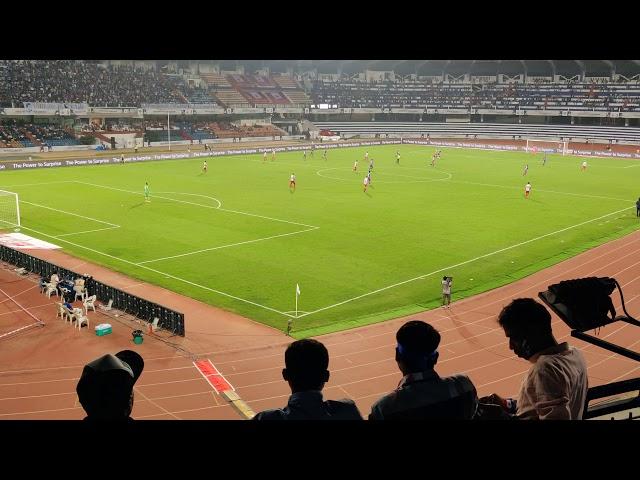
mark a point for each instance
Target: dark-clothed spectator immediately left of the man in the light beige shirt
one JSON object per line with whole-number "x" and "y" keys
{"x": 422, "y": 394}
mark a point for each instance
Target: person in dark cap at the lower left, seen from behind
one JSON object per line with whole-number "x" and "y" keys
{"x": 105, "y": 389}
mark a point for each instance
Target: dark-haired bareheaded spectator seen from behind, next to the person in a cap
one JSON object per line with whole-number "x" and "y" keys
{"x": 306, "y": 370}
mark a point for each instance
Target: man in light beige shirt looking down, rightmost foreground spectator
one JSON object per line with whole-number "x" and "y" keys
{"x": 555, "y": 387}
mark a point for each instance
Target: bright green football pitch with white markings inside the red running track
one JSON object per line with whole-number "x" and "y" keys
{"x": 238, "y": 238}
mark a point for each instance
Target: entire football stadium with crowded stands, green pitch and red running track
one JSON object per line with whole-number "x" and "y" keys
{"x": 415, "y": 239}
